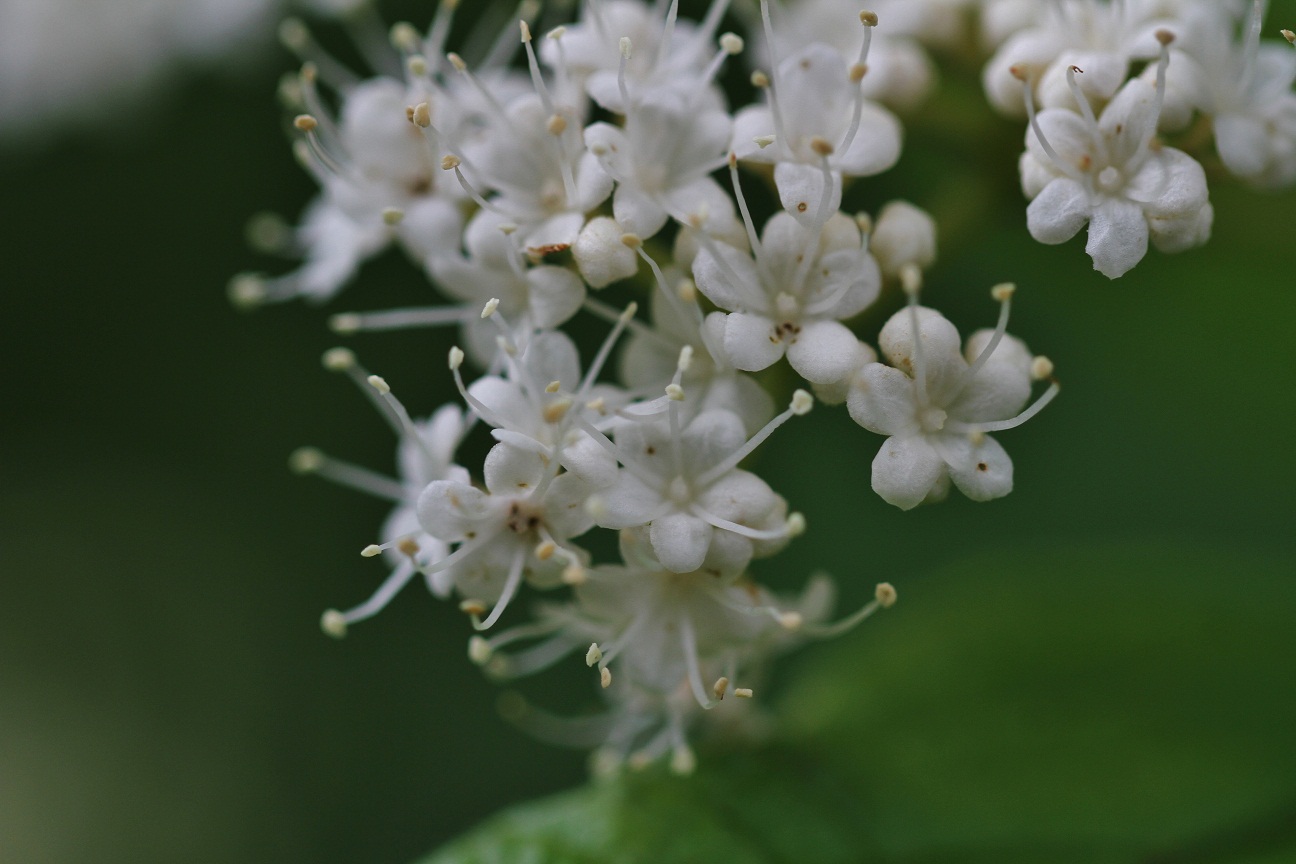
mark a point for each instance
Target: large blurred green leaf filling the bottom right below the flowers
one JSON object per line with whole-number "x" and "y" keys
{"x": 1117, "y": 705}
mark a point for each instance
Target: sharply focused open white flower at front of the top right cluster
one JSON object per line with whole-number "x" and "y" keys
{"x": 1107, "y": 173}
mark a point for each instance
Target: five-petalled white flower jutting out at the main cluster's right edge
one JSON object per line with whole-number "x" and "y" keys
{"x": 936, "y": 406}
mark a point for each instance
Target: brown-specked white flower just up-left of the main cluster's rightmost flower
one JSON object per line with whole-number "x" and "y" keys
{"x": 793, "y": 297}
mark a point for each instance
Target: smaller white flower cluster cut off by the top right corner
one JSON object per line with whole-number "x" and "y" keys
{"x": 1105, "y": 84}
